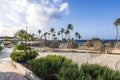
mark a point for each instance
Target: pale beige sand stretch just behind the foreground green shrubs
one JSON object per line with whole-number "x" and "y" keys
{"x": 110, "y": 60}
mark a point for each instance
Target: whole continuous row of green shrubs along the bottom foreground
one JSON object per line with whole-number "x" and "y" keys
{"x": 64, "y": 69}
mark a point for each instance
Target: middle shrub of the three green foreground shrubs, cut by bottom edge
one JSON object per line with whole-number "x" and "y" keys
{"x": 69, "y": 72}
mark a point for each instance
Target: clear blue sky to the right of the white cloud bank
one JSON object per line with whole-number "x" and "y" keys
{"x": 93, "y": 18}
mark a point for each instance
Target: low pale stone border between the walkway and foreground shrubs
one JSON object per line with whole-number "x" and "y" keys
{"x": 29, "y": 74}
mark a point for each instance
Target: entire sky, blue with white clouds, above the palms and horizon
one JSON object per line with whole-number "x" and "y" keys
{"x": 91, "y": 18}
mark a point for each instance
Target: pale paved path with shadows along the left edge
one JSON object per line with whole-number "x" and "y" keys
{"x": 8, "y": 71}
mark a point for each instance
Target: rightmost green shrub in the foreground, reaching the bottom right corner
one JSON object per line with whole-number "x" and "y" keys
{"x": 96, "y": 72}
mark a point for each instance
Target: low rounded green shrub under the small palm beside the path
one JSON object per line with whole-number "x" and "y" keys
{"x": 21, "y": 56}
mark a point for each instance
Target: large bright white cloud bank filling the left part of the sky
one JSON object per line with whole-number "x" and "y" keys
{"x": 37, "y": 14}
